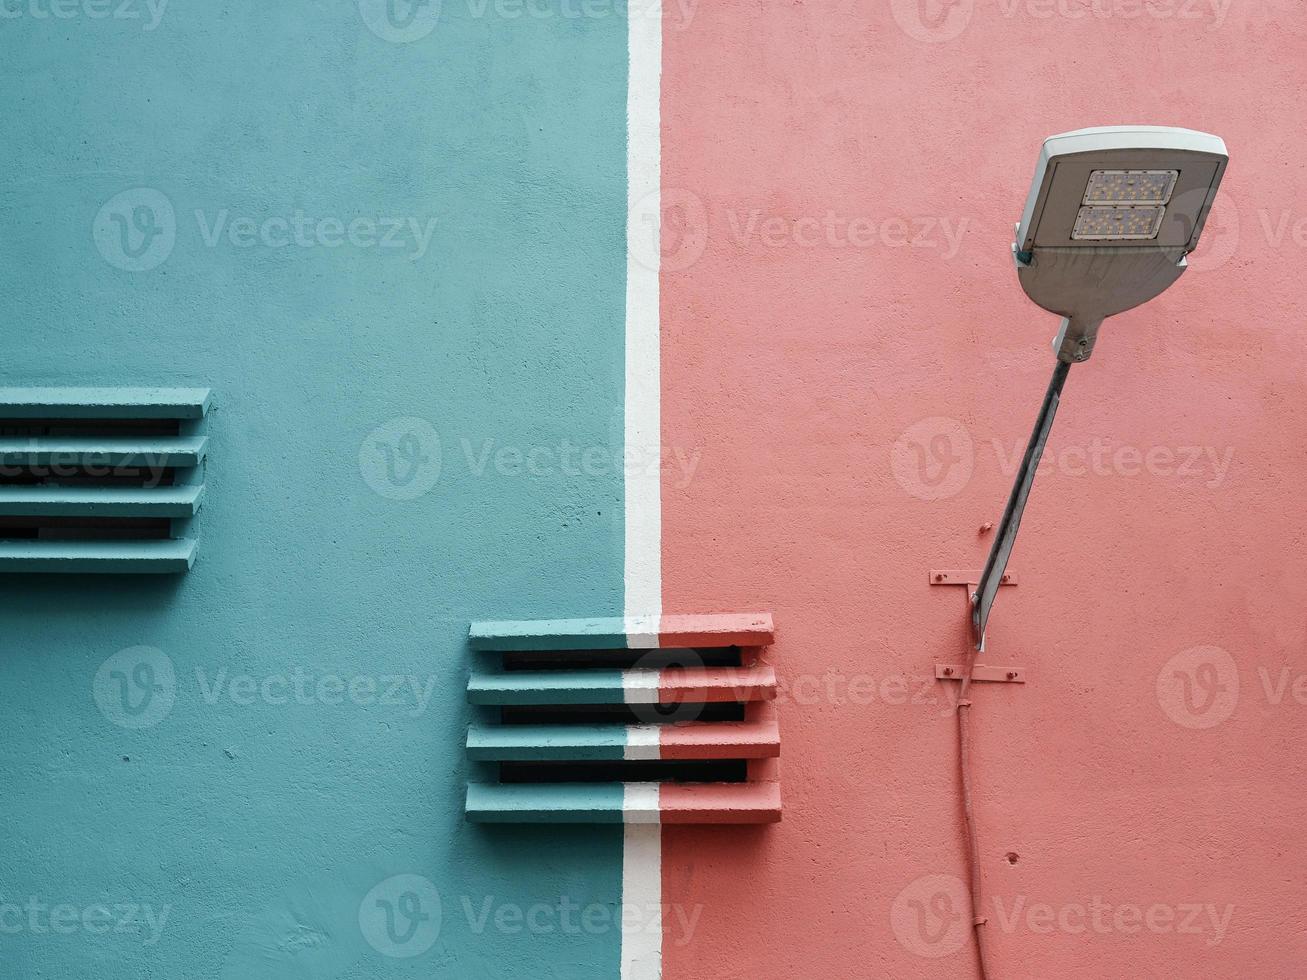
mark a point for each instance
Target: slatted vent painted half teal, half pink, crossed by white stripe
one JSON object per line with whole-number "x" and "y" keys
{"x": 608, "y": 721}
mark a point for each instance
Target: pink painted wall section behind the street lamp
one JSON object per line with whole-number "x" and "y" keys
{"x": 803, "y": 367}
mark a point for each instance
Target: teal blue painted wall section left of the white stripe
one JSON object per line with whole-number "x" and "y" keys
{"x": 262, "y": 828}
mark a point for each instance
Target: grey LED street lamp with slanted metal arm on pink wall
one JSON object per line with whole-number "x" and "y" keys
{"x": 1110, "y": 219}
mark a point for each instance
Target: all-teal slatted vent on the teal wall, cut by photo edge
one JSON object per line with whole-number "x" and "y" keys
{"x": 101, "y": 480}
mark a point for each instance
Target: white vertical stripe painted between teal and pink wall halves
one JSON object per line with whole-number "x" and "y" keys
{"x": 642, "y": 842}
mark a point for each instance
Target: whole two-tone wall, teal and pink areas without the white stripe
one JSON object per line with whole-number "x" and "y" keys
{"x": 853, "y": 370}
